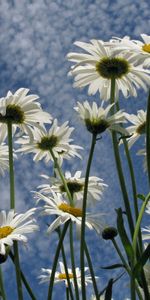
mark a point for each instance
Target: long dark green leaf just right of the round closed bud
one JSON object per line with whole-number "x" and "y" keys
{"x": 123, "y": 236}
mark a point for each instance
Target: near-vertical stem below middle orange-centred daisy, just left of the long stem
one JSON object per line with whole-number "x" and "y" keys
{"x": 73, "y": 263}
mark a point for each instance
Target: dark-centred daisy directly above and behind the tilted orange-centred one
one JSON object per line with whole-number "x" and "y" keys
{"x": 76, "y": 186}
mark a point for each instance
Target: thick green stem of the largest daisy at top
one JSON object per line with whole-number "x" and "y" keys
{"x": 119, "y": 168}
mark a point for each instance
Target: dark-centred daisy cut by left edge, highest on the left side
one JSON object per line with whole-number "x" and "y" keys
{"x": 22, "y": 111}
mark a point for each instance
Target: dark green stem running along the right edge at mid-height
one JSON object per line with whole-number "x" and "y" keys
{"x": 148, "y": 137}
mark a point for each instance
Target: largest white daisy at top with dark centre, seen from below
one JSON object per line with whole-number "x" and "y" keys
{"x": 100, "y": 64}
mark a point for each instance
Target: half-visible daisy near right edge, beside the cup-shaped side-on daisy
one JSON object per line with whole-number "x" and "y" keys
{"x": 138, "y": 127}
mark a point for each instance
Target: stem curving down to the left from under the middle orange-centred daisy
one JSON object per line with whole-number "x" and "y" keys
{"x": 50, "y": 290}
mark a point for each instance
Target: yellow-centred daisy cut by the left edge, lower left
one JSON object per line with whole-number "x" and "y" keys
{"x": 13, "y": 227}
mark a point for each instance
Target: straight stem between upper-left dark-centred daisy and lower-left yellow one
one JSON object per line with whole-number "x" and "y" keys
{"x": 11, "y": 166}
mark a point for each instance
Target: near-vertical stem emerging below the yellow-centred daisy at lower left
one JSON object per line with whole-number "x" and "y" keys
{"x": 18, "y": 273}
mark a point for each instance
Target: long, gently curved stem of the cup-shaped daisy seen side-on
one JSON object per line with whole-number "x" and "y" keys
{"x": 84, "y": 215}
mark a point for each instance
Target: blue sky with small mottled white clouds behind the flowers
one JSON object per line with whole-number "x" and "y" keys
{"x": 35, "y": 37}
